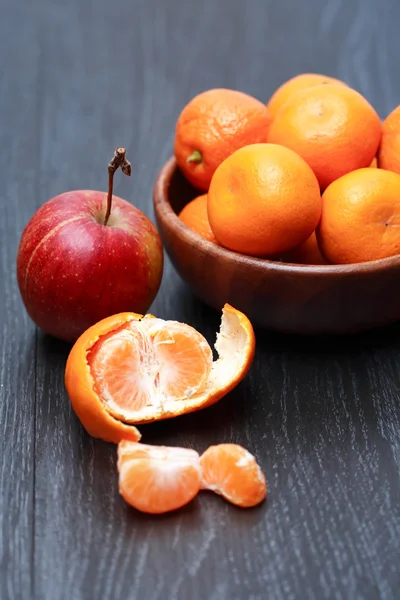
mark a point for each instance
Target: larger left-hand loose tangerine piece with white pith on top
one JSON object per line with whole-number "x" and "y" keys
{"x": 157, "y": 479}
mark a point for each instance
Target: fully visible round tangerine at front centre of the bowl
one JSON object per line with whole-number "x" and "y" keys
{"x": 263, "y": 199}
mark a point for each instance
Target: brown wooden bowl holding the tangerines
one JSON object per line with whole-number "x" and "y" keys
{"x": 333, "y": 299}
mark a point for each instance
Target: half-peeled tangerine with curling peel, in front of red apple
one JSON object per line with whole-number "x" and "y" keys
{"x": 129, "y": 369}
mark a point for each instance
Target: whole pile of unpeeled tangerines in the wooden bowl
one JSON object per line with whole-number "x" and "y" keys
{"x": 312, "y": 177}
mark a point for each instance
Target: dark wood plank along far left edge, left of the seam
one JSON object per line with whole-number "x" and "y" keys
{"x": 19, "y": 133}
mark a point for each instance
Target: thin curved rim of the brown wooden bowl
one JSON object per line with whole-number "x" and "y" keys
{"x": 160, "y": 197}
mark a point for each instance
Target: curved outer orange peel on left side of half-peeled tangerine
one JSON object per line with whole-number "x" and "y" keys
{"x": 79, "y": 383}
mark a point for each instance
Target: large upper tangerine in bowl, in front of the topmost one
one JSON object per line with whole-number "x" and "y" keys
{"x": 332, "y": 127}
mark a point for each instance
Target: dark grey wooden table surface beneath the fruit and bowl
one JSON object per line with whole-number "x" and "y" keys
{"x": 322, "y": 416}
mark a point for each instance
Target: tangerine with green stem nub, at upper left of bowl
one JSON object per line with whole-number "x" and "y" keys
{"x": 213, "y": 125}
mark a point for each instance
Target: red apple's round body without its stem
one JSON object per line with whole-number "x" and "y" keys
{"x": 73, "y": 271}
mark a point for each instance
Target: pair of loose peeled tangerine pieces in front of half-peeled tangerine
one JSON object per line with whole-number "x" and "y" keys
{"x": 159, "y": 479}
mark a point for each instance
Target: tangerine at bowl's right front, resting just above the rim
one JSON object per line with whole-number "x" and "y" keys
{"x": 361, "y": 217}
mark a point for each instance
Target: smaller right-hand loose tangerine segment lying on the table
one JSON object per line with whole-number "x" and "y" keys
{"x": 231, "y": 471}
